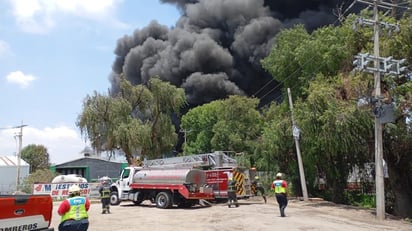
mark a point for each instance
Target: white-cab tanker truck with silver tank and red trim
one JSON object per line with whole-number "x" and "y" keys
{"x": 166, "y": 187}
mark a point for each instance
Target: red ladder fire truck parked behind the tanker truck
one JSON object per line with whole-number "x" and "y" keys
{"x": 219, "y": 167}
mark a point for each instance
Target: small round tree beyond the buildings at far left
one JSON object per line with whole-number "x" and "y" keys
{"x": 36, "y": 156}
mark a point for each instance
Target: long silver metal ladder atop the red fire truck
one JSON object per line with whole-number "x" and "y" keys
{"x": 208, "y": 160}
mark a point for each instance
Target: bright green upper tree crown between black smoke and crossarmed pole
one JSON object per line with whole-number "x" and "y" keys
{"x": 298, "y": 57}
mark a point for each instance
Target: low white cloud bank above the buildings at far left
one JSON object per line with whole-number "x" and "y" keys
{"x": 62, "y": 143}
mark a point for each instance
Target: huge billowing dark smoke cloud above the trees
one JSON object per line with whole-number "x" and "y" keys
{"x": 216, "y": 46}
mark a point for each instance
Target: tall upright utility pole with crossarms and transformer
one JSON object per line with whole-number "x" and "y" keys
{"x": 380, "y": 65}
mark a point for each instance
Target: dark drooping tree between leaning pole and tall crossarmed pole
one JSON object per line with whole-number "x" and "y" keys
{"x": 335, "y": 134}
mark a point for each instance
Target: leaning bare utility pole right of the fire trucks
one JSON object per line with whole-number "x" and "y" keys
{"x": 296, "y": 132}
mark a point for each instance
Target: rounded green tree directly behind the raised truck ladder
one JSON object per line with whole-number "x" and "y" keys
{"x": 233, "y": 124}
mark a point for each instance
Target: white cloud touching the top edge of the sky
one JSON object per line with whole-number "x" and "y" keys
{"x": 39, "y": 16}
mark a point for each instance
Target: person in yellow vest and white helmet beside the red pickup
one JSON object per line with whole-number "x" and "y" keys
{"x": 73, "y": 211}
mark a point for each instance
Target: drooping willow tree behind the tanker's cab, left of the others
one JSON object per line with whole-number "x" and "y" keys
{"x": 136, "y": 120}
